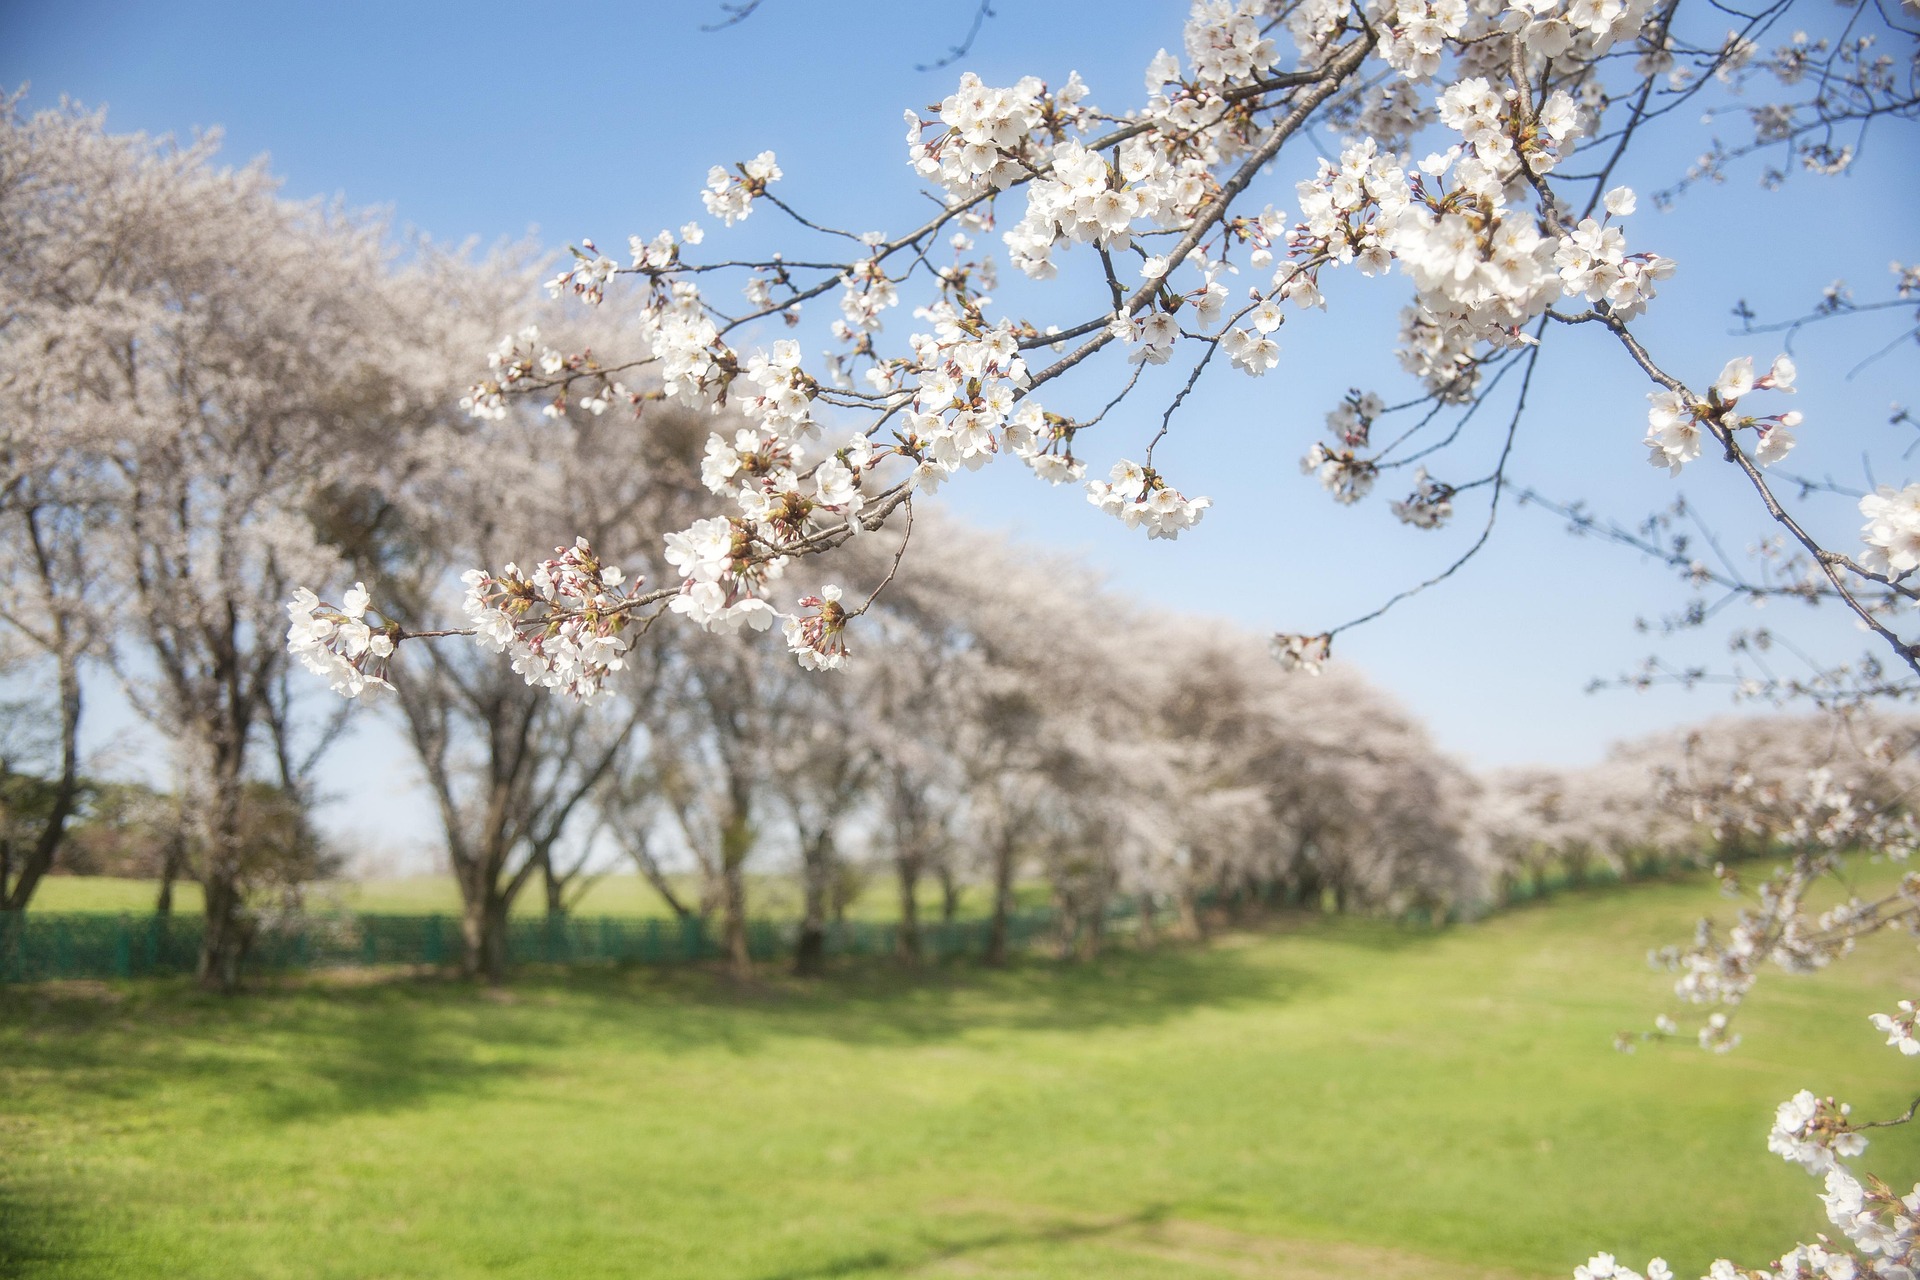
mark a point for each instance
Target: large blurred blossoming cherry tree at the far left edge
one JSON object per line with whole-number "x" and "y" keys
{"x": 193, "y": 367}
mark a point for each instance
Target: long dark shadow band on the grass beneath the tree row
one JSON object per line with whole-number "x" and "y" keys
{"x": 320, "y": 1047}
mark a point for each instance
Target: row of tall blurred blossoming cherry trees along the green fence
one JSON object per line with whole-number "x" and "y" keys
{"x": 212, "y": 394}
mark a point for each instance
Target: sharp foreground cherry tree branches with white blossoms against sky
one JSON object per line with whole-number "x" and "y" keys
{"x": 1477, "y": 168}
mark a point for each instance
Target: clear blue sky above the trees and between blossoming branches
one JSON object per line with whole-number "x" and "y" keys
{"x": 502, "y": 122}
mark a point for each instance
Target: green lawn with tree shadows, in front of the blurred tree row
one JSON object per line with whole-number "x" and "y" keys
{"x": 1310, "y": 1101}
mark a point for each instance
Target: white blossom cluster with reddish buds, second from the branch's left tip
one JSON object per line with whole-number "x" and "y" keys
{"x": 564, "y": 625}
